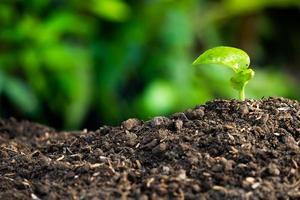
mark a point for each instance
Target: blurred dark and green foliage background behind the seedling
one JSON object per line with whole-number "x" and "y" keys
{"x": 75, "y": 64}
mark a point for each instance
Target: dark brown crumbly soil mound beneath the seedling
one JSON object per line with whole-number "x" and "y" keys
{"x": 225, "y": 149}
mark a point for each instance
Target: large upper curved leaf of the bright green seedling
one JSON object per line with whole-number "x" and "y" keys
{"x": 229, "y": 56}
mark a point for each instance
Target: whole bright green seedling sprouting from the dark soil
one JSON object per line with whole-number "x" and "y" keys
{"x": 235, "y": 59}
